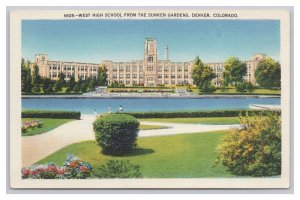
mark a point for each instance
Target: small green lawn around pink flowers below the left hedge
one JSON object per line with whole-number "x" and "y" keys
{"x": 48, "y": 125}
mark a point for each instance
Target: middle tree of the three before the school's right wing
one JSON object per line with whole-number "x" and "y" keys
{"x": 234, "y": 72}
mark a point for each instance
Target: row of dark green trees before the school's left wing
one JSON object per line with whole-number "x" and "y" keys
{"x": 32, "y": 82}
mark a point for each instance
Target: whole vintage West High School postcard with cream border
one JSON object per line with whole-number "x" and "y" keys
{"x": 150, "y": 98}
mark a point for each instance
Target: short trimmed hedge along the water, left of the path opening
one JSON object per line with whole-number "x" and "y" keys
{"x": 51, "y": 114}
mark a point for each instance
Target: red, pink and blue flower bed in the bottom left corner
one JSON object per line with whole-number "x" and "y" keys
{"x": 73, "y": 168}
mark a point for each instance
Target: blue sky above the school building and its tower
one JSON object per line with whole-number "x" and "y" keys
{"x": 123, "y": 40}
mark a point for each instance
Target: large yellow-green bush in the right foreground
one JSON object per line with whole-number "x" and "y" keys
{"x": 254, "y": 149}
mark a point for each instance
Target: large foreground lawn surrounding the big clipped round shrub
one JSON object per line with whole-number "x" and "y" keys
{"x": 177, "y": 156}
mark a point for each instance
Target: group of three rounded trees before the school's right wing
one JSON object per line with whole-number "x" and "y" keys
{"x": 267, "y": 75}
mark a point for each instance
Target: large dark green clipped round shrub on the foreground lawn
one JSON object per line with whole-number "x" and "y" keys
{"x": 116, "y": 133}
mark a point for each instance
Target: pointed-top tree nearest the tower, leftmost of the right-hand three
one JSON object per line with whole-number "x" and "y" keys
{"x": 202, "y": 76}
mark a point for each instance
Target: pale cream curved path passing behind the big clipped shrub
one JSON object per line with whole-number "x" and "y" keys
{"x": 34, "y": 148}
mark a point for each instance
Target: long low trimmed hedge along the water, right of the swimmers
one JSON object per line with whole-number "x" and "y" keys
{"x": 218, "y": 113}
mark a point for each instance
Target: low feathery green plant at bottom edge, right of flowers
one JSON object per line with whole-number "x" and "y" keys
{"x": 118, "y": 169}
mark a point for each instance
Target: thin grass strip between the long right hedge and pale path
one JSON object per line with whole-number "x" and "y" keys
{"x": 196, "y": 120}
